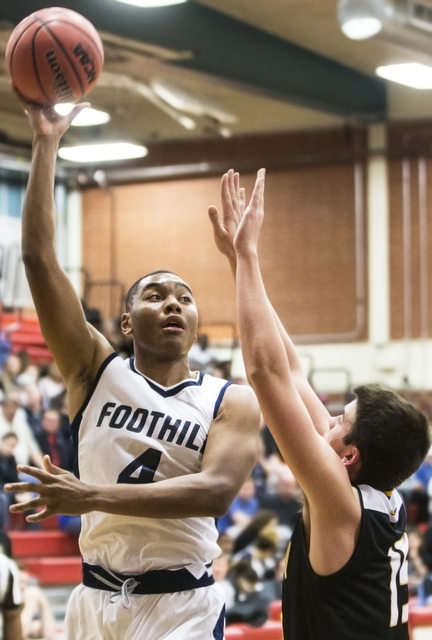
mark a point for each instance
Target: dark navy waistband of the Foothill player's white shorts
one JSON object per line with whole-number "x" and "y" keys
{"x": 162, "y": 581}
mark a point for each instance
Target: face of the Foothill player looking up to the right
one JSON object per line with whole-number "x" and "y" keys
{"x": 164, "y": 316}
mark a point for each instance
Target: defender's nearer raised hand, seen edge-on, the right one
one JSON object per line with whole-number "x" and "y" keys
{"x": 247, "y": 234}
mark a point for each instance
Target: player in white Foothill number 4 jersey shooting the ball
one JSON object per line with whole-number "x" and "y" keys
{"x": 161, "y": 450}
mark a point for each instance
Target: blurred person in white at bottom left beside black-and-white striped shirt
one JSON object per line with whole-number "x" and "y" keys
{"x": 37, "y": 619}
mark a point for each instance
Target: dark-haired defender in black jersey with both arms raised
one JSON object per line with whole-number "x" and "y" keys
{"x": 347, "y": 562}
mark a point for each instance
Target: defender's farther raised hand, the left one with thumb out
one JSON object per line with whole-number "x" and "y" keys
{"x": 225, "y": 224}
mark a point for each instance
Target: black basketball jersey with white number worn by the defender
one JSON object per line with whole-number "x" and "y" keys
{"x": 365, "y": 600}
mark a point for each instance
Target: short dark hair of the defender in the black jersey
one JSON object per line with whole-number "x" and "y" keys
{"x": 391, "y": 434}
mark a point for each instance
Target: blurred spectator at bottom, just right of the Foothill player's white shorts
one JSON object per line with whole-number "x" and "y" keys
{"x": 250, "y": 606}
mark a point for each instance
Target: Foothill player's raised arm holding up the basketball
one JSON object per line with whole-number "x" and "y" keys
{"x": 76, "y": 348}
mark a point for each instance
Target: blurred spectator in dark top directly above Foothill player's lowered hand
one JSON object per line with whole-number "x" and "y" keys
{"x": 52, "y": 441}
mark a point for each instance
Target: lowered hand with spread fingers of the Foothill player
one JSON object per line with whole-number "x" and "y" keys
{"x": 60, "y": 492}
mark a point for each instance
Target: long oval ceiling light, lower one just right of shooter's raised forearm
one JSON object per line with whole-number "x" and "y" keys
{"x": 103, "y": 152}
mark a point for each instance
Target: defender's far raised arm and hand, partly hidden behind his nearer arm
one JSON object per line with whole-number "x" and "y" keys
{"x": 225, "y": 224}
